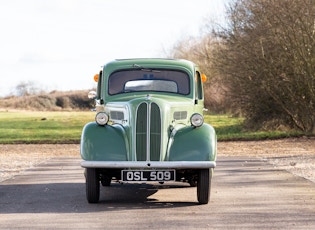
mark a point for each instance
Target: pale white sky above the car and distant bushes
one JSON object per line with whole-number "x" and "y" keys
{"x": 61, "y": 44}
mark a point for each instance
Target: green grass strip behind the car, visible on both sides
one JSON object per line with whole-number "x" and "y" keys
{"x": 66, "y": 127}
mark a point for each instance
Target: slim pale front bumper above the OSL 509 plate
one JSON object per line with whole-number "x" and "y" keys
{"x": 149, "y": 165}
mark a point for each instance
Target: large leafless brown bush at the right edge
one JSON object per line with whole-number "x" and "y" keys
{"x": 267, "y": 58}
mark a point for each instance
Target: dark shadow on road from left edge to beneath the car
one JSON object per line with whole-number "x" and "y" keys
{"x": 70, "y": 198}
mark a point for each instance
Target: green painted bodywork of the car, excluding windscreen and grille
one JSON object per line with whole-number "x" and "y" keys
{"x": 117, "y": 142}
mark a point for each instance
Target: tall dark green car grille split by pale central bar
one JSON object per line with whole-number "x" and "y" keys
{"x": 148, "y": 132}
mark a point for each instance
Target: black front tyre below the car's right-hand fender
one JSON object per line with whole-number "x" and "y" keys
{"x": 204, "y": 186}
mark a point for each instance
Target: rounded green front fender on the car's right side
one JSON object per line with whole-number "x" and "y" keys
{"x": 193, "y": 144}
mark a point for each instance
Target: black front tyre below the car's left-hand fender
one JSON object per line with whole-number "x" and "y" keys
{"x": 92, "y": 184}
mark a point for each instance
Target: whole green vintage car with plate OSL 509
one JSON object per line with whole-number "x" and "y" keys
{"x": 149, "y": 127}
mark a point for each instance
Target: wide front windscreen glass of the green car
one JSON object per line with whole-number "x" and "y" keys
{"x": 170, "y": 81}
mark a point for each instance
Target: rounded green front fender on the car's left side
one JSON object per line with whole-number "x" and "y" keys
{"x": 103, "y": 143}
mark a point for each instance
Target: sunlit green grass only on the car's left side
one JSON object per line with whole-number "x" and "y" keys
{"x": 42, "y": 127}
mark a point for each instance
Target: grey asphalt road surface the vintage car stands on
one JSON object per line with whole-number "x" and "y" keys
{"x": 246, "y": 194}
